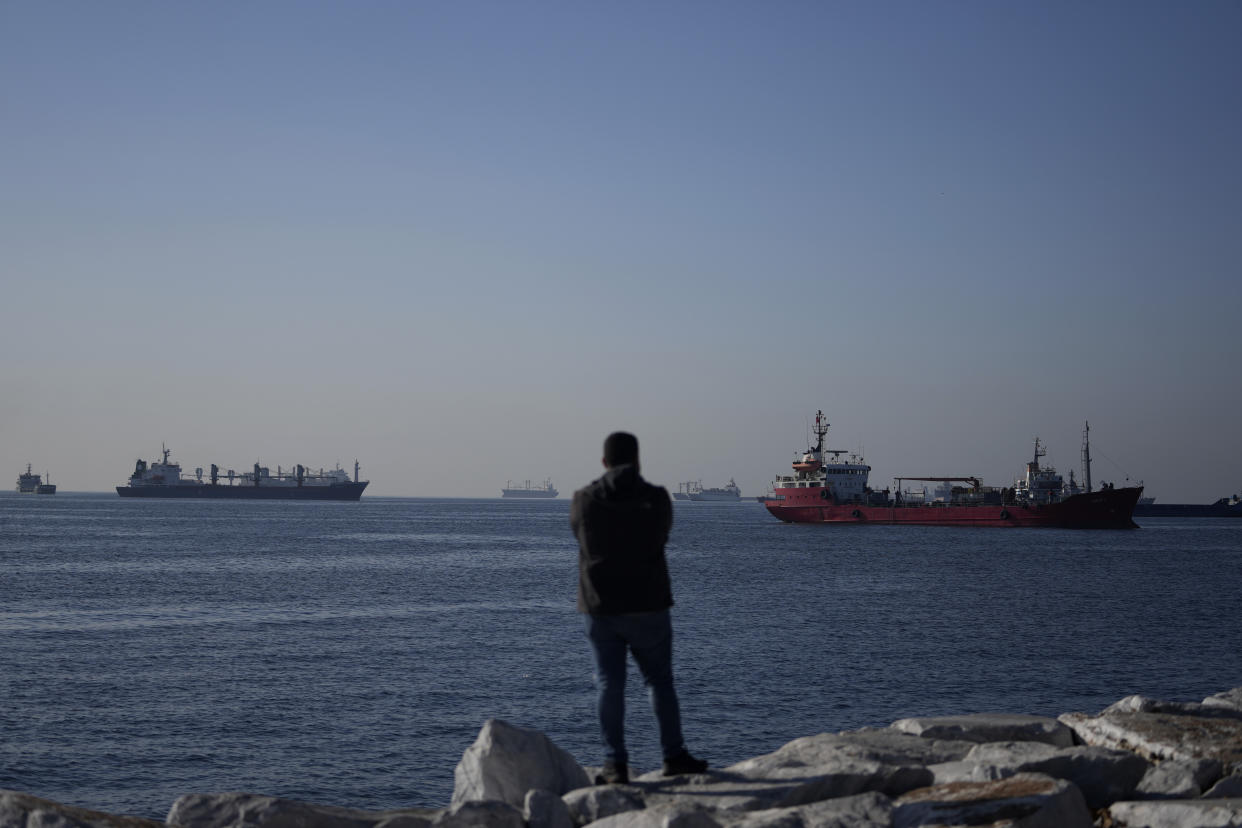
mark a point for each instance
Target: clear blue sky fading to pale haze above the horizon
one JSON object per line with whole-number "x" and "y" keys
{"x": 464, "y": 241}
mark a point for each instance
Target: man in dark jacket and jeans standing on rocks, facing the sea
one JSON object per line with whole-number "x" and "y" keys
{"x": 623, "y": 523}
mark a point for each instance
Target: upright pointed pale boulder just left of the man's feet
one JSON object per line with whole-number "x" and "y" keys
{"x": 507, "y": 762}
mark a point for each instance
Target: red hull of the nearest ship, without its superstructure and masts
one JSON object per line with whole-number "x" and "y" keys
{"x": 1104, "y": 510}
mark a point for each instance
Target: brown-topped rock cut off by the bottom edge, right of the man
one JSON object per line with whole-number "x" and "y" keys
{"x": 1027, "y": 800}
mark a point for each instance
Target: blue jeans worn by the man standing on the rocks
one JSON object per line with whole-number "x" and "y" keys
{"x": 650, "y": 637}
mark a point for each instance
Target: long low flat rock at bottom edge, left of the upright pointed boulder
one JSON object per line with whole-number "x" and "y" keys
{"x": 254, "y": 810}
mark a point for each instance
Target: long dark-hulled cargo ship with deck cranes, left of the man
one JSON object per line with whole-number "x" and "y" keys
{"x": 165, "y": 480}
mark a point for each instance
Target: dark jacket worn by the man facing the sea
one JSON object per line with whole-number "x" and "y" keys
{"x": 622, "y": 523}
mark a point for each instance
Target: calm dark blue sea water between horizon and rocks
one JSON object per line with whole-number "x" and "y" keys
{"x": 348, "y": 654}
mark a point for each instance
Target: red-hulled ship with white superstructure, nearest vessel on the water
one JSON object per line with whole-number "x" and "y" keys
{"x": 825, "y": 488}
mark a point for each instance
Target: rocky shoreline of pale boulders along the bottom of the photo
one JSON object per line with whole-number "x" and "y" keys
{"x": 1141, "y": 763}
